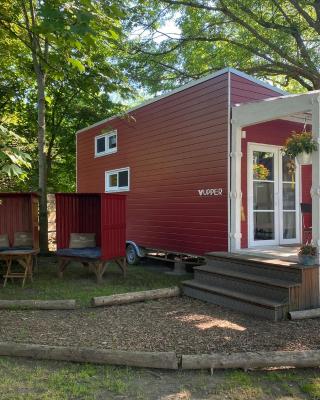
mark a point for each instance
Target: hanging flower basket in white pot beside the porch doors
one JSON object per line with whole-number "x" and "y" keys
{"x": 300, "y": 145}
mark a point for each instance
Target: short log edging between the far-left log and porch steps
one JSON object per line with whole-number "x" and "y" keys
{"x": 133, "y": 297}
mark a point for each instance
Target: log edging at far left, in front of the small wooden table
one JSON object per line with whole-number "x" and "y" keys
{"x": 38, "y": 304}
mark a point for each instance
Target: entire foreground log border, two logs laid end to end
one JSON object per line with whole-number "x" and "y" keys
{"x": 163, "y": 360}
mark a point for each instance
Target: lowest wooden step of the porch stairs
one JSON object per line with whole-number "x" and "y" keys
{"x": 250, "y": 304}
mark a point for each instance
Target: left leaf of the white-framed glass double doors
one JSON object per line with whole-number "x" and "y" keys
{"x": 263, "y": 196}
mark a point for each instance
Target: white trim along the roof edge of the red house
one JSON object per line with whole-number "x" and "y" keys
{"x": 186, "y": 86}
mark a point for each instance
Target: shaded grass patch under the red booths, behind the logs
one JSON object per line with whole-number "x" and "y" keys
{"x": 80, "y": 284}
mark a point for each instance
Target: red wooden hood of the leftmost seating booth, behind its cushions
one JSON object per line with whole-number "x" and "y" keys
{"x": 19, "y": 213}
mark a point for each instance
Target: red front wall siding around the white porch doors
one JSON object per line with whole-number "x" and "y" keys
{"x": 274, "y": 133}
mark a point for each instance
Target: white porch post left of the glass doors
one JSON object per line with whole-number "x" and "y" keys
{"x": 235, "y": 190}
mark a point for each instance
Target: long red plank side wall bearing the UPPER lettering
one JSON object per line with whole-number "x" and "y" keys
{"x": 176, "y": 146}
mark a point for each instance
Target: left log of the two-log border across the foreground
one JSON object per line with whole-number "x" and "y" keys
{"x": 160, "y": 360}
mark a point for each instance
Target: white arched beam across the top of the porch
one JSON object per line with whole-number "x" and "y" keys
{"x": 294, "y": 106}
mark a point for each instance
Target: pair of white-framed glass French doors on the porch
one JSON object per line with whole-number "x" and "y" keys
{"x": 273, "y": 197}
